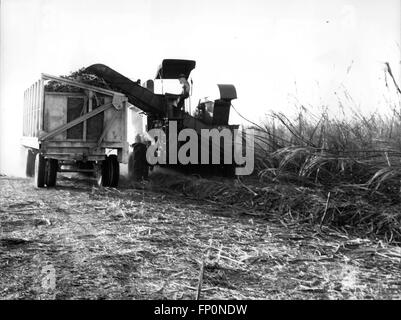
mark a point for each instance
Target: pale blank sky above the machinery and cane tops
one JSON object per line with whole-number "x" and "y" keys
{"x": 275, "y": 52}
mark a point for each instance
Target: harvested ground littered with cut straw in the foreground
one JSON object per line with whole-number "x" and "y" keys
{"x": 78, "y": 241}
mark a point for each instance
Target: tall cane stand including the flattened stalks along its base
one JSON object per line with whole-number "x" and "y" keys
{"x": 339, "y": 168}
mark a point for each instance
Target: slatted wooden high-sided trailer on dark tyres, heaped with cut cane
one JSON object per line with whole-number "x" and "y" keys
{"x": 80, "y": 130}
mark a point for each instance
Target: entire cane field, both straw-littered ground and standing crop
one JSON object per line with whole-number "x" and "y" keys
{"x": 320, "y": 218}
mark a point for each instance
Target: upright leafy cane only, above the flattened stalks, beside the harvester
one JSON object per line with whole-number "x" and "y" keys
{"x": 327, "y": 149}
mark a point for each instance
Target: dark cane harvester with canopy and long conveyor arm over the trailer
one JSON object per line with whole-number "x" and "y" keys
{"x": 163, "y": 110}
